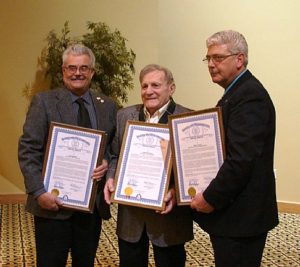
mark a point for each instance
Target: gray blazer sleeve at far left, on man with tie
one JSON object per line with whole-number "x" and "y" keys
{"x": 32, "y": 146}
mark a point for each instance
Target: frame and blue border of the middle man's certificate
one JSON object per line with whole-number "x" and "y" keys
{"x": 118, "y": 197}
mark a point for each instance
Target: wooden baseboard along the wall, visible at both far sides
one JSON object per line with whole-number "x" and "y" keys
{"x": 21, "y": 198}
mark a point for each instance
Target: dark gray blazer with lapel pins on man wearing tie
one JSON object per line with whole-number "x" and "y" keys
{"x": 54, "y": 105}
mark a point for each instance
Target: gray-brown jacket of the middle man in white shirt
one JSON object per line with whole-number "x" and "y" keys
{"x": 163, "y": 230}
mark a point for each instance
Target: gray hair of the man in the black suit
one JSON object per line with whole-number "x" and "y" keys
{"x": 235, "y": 41}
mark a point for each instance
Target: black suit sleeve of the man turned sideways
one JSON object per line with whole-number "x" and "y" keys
{"x": 246, "y": 129}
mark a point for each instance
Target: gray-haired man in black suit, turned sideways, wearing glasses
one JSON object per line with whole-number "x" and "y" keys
{"x": 238, "y": 208}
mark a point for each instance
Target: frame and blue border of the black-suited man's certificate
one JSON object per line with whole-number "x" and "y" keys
{"x": 174, "y": 120}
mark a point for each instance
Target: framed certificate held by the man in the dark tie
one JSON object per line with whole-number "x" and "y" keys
{"x": 71, "y": 157}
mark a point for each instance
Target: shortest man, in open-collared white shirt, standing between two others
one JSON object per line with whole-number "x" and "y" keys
{"x": 170, "y": 229}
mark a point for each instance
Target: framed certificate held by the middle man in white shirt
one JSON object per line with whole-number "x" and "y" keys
{"x": 144, "y": 165}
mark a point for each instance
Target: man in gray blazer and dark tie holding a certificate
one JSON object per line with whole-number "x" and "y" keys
{"x": 57, "y": 230}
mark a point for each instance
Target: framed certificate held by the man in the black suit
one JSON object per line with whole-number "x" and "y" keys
{"x": 197, "y": 141}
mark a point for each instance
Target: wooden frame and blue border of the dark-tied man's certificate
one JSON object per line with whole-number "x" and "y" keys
{"x": 98, "y": 151}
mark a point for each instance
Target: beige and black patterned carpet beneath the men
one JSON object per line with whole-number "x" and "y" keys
{"x": 17, "y": 247}
